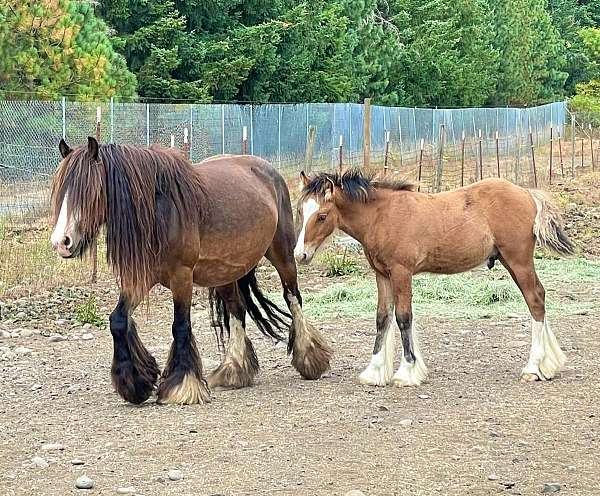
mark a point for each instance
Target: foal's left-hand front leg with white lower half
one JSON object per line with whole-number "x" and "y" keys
{"x": 380, "y": 369}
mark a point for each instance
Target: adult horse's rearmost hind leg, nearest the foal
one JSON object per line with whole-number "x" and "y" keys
{"x": 310, "y": 353}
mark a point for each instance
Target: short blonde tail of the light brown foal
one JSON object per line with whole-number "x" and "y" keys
{"x": 548, "y": 225}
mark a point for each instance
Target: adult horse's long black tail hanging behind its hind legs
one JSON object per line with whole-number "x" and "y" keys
{"x": 271, "y": 323}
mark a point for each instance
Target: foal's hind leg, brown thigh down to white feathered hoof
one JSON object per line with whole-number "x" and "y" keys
{"x": 545, "y": 358}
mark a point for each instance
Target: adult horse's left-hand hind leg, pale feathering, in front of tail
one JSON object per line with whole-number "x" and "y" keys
{"x": 240, "y": 364}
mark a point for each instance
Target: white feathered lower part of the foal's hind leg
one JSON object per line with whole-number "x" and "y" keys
{"x": 546, "y": 358}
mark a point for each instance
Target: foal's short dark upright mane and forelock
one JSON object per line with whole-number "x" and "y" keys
{"x": 356, "y": 185}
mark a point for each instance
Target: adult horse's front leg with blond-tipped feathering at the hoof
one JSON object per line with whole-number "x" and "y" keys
{"x": 182, "y": 381}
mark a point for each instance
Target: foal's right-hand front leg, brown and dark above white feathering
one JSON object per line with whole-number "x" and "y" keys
{"x": 412, "y": 370}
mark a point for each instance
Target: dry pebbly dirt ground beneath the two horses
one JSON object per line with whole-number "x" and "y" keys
{"x": 471, "y": 429}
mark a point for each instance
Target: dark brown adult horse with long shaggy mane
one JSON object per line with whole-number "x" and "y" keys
{"x": 171, "y": 223}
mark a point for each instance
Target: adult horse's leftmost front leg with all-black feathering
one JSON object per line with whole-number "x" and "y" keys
{"x": 134, "y": 370}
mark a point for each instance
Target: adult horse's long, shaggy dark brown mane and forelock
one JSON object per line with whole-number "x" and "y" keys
{"x": 139, "y": 193}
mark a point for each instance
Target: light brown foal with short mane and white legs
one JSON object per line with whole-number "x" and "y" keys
{"x": 404, "y": 232}
